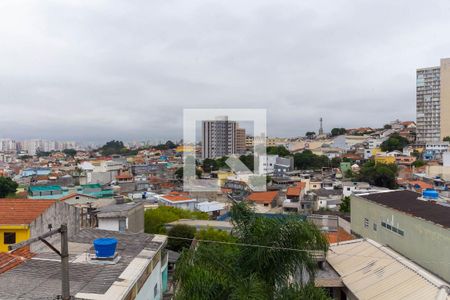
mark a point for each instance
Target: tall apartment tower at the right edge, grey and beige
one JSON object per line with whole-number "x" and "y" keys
{"x": 433, "y": 102}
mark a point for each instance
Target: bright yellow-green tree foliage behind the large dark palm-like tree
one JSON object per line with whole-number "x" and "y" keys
{"x": 155, "y": 219}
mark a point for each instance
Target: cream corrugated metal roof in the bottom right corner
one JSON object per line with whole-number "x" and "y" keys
{"x": 372, "y": 271}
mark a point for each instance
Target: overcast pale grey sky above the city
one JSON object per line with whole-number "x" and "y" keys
{"x": 96, "y": 70}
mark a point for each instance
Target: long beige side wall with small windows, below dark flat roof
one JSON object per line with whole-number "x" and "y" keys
{"x": 423, "y": 242}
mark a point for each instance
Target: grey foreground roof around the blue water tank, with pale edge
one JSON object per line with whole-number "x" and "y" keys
{"x": 40, "y": 277}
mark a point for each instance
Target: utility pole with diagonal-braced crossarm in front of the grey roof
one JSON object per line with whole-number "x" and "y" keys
{"x": 64, "y": 254}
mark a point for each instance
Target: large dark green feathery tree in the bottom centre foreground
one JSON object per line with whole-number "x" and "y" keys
{"x": 258, "y": 266}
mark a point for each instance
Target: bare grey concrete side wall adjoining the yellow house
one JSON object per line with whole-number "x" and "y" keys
{"x": 56, "y": 215}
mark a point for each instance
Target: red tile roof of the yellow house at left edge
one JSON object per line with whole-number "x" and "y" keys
{"x": 22, "y": 211}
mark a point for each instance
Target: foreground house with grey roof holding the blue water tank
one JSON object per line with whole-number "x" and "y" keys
{"x": 137, "y": 271}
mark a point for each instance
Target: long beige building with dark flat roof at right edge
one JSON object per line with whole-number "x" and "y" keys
{"x": 418, "y": 229}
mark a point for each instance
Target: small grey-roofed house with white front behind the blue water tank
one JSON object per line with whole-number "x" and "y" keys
{"x": 127, "y": 217}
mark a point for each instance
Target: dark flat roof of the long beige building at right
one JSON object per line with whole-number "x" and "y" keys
{"x": 407, "y": 202}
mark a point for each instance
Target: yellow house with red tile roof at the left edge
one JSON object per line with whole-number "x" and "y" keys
{"x": 16, "y": 215}
